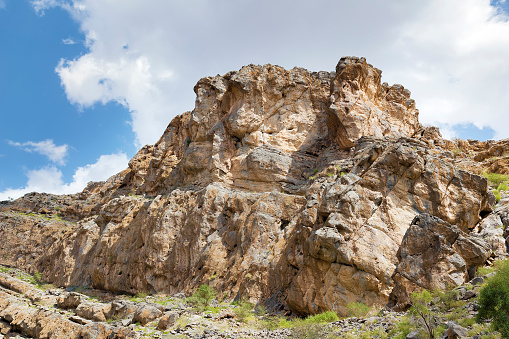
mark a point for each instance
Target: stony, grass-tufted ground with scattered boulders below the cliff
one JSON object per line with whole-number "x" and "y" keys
{"x": 30, "y": 309}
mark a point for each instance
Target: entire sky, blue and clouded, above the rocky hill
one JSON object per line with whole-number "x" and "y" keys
{"x": 85, "y": 83}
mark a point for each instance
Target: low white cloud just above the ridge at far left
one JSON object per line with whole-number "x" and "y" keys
{"x": 50, "y": 179}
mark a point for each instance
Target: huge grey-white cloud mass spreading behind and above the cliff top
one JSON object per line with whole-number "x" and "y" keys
{"x": 148, "y": 55}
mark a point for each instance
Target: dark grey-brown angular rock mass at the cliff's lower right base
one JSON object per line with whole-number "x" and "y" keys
{"x": 435, "y": 255}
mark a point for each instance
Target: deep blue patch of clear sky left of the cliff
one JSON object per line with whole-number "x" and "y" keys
{"x": 34, "y": 107}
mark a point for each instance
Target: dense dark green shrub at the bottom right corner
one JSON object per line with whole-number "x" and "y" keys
{"x": 494, "y": 300}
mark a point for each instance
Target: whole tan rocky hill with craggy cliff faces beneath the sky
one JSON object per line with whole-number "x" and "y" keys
{"x": 297, "y": 190}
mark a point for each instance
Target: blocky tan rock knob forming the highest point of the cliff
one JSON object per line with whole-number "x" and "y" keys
{"x": 362, "y": 106}
